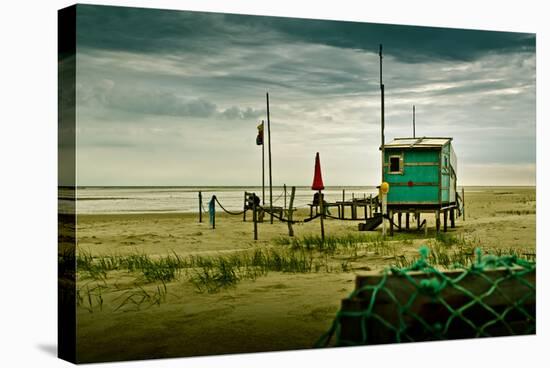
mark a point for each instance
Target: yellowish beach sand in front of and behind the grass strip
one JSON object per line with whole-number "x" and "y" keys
{"x": 277, "y": 311}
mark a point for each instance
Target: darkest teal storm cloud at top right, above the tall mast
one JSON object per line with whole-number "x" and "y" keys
{"x": 406, "y": 43}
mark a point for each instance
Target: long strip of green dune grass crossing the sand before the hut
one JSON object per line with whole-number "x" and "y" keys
{"x": 305, "y": 254}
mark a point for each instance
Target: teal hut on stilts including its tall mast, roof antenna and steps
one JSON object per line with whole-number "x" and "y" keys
{"x": 422, "y": 175}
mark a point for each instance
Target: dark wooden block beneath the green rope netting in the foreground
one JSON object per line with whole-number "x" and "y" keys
{"x": 475, "y": 321}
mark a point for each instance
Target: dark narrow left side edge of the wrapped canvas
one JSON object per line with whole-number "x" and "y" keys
{"x": 66, "y": 309}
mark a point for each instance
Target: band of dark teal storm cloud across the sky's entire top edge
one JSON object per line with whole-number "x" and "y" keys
{"x": 154, "y": 31}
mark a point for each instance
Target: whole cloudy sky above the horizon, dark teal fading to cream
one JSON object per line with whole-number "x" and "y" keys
{"x": 174, "y": 98}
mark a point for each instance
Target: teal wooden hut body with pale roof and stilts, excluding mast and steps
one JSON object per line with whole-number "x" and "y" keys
{"x": 422, "y": 176}
